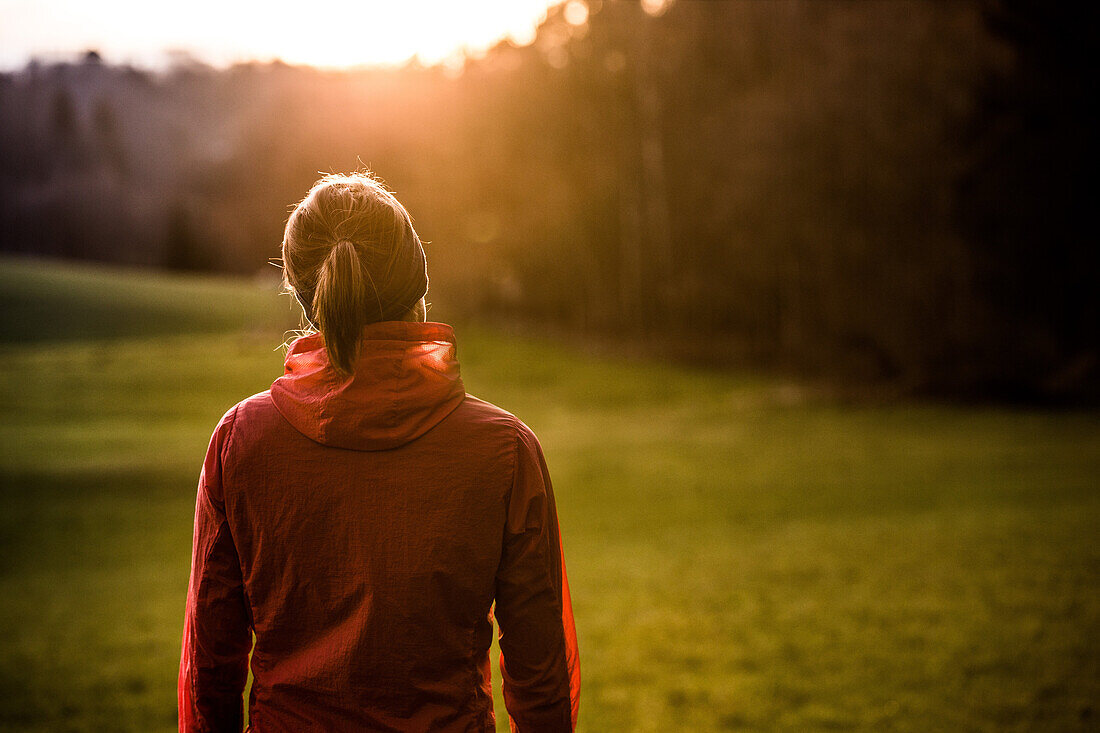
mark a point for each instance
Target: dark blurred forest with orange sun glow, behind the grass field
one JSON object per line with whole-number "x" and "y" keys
{"x": 872, "y": 194}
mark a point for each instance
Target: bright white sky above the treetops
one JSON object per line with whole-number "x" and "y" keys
{"x": 329, "y": 34}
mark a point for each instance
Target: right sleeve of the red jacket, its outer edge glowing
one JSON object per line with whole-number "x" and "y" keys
{"x": 540, "y": 662}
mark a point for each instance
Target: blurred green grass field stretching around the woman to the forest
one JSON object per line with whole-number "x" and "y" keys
{"x": 743, "y": 554}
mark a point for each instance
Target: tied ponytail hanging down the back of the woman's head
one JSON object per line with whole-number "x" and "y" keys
{"x": 342, "y": 305}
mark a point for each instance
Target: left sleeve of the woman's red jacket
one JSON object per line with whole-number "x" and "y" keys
{"x": 217, "y": 627}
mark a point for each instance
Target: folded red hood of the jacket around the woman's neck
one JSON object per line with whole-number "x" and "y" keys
{"x": 406, "y": 381}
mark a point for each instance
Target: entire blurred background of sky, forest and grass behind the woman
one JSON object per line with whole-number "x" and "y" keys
{"x": 800, "y": 298}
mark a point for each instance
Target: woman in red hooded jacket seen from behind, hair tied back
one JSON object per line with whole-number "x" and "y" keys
{"x": 362, "y": 516}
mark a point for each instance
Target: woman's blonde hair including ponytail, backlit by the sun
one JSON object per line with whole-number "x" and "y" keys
{"x": 351, "y": 258}
